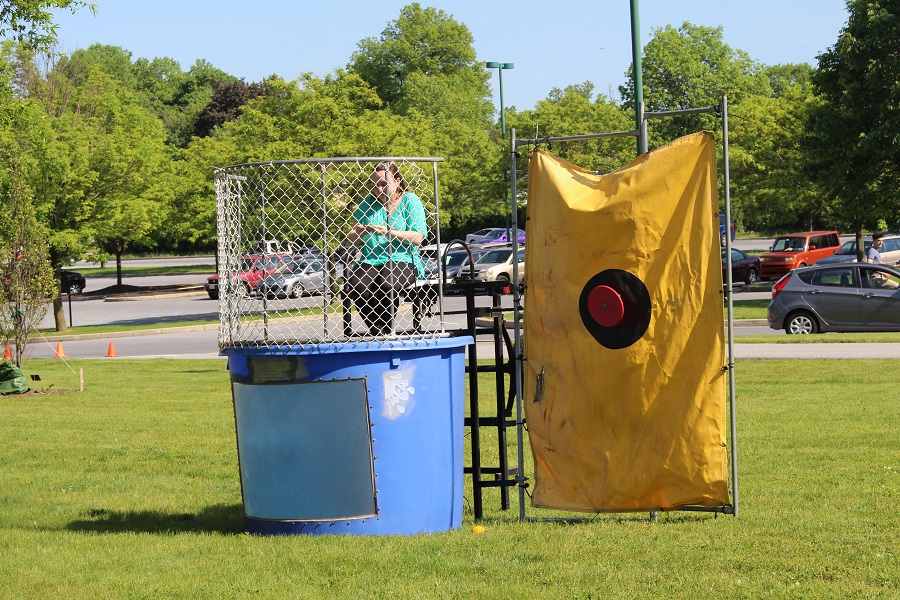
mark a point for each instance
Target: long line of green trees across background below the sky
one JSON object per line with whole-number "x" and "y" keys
{"x": 128, "y": 147}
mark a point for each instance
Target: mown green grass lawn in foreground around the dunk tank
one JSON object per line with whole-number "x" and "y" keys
{"x": 131, "y": 489}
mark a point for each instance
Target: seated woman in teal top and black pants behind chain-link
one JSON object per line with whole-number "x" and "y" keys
{"x": 389, "y": 225}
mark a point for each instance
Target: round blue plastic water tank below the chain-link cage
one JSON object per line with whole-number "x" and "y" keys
{"x": 358, "y": 439}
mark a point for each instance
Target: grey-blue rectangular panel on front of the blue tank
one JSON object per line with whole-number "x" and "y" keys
{"x": 305, "y": 450}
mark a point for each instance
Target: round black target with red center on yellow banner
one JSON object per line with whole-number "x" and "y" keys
{"x": 615, "y": 308}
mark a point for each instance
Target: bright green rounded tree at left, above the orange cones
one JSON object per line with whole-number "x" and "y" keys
{"x": 102, "y": 160}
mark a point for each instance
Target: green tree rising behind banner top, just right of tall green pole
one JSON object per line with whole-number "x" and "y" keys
{"x": 691, "y": 67}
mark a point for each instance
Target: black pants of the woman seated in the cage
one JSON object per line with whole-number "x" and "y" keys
{"x": 376, "y": 289}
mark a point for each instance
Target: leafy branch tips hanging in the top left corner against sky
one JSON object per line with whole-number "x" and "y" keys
{"x": 31, "y": 21}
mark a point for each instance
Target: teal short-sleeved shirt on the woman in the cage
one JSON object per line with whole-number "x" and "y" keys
{"x": 408, "y": 216}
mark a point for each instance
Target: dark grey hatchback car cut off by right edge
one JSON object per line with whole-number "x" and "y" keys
{"x": 837, "y": 297}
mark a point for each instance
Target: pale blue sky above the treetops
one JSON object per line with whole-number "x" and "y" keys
{"x": 552, "y": 44}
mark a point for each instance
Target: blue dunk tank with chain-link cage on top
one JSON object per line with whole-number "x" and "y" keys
{"x": 339, "y": 429}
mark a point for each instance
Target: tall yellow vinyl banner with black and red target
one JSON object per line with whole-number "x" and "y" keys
{"x": 623, "y": 385}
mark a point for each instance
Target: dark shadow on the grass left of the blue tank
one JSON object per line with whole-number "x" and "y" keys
{"x": 220, "y": 518}
